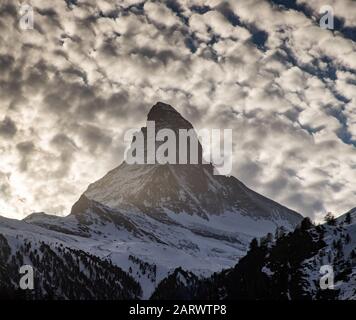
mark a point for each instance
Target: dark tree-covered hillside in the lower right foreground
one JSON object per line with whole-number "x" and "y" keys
{"x": 270, "y": 271}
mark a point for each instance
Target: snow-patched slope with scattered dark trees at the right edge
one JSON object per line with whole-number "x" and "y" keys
{"x": 337, "y": 249}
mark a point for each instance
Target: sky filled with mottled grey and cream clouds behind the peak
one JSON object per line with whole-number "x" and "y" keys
{"x": 89, "y": 70}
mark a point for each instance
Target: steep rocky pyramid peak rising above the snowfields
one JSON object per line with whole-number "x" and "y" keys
{"x": 182, "y": 189}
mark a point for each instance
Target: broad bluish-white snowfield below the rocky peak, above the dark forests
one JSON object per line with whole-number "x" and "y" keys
{"x": 191, "y": 242}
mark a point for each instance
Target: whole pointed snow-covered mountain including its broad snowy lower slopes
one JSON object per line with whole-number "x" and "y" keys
{"x": 149, "y": 219}
